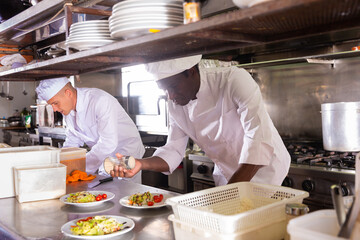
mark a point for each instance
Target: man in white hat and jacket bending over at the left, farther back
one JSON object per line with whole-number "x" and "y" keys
{"x": 95, "y": 118}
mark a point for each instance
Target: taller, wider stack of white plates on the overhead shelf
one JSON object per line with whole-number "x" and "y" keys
{"x": 132, "y": 18}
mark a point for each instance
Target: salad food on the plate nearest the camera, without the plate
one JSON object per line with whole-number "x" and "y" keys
{"x": 97, "y": 225}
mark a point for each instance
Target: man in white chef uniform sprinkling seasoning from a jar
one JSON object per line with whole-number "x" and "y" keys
{"x": 222, "y": 111}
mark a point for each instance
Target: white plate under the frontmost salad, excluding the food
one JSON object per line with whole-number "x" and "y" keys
{"x": 65, "y": 229}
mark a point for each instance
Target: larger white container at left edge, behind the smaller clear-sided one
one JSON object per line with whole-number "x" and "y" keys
{"x": 22, "y": 156}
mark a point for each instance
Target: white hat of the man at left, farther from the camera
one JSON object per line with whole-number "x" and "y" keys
{"x": 50, "y": 87}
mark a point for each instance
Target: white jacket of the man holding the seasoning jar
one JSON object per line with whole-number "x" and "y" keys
{"x": 229, "y": 122}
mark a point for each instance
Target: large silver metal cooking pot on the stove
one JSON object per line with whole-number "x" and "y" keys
{"x": 341, "y": 126}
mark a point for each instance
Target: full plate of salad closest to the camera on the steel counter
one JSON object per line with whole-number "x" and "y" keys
{"x": 97, "y": 227}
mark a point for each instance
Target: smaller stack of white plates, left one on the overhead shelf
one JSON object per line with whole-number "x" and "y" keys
{"x": 89, "y": 34}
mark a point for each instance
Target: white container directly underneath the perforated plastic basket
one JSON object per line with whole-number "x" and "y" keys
{"x": 185, "y": 231}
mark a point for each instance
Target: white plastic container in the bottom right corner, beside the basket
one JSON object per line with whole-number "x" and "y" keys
{"x": 319, "y": 225}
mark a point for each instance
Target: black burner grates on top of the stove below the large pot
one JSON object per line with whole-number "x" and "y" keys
{"x": 309, "y": 155}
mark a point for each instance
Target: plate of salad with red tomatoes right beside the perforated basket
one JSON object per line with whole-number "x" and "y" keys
{"x": 144, "y": 200}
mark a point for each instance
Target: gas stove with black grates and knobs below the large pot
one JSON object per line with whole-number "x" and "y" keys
{"x": 314, "y": 170}
